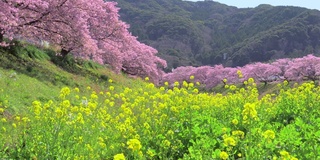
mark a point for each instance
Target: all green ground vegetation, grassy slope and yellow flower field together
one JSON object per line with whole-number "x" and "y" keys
{"x": 54, "y": 108}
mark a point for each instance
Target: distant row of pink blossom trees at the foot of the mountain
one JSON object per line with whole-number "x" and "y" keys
{"x": 298, "y": 69}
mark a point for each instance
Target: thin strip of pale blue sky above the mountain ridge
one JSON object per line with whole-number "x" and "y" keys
{"x": 311, "y": 4}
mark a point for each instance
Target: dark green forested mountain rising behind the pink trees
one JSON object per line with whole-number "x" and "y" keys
{"x": 209, "y": 33}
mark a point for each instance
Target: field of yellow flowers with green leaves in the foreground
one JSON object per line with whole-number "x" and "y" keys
{"x": 167, "y": 123}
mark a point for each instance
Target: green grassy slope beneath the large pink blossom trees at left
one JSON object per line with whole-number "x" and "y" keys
{"x": 28, "y": 73}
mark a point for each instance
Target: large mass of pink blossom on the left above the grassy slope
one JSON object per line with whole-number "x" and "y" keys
{"x": 88, "y": 29}
